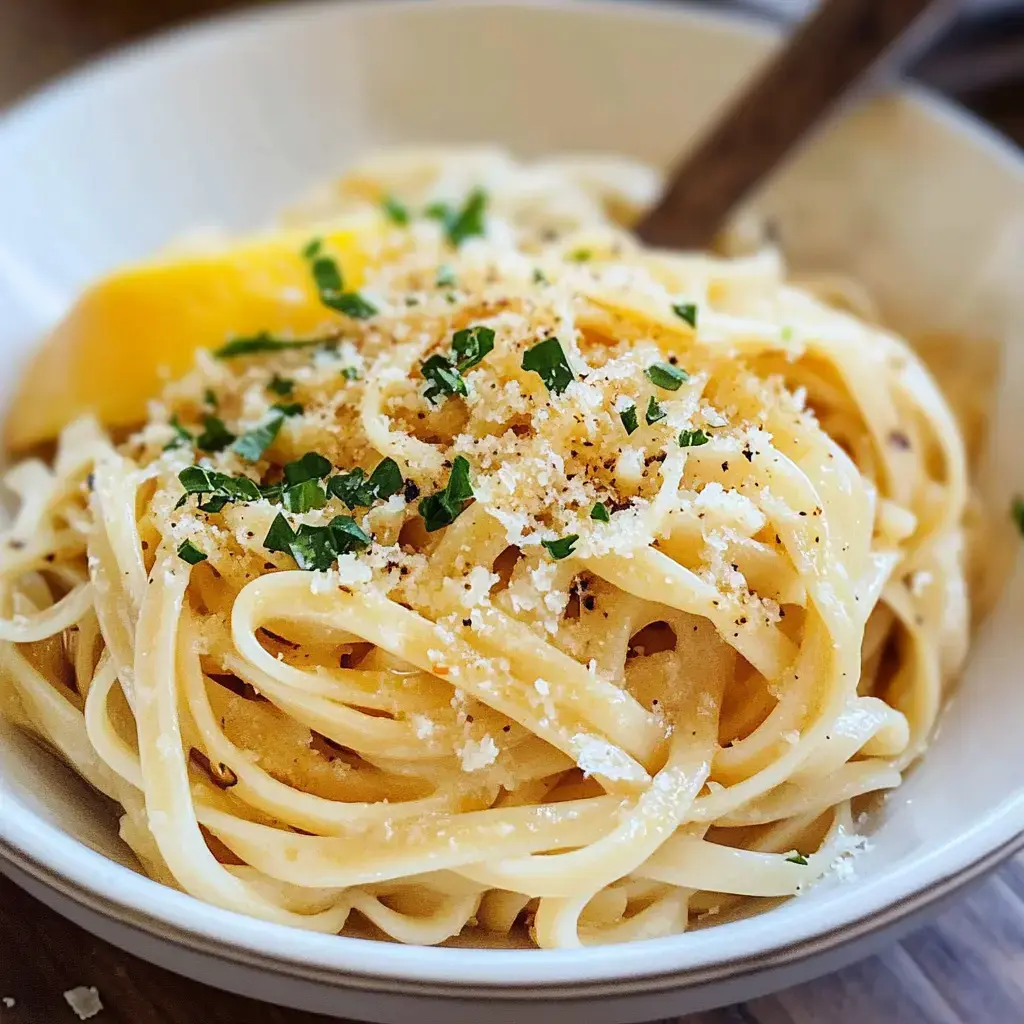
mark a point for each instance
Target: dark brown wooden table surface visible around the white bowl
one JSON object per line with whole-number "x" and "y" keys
{"x": 967, "y": 967}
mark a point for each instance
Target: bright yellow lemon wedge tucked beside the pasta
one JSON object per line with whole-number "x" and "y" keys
{"x": 131, "y": 333}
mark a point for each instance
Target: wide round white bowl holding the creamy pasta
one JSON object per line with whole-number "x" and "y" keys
{"x": 225, "y": 122}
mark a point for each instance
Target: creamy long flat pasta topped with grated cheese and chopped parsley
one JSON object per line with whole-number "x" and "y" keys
{"x": 558, "y": 591}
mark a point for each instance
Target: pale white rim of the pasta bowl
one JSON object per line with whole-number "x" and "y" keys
{"x": 70, "y": 868}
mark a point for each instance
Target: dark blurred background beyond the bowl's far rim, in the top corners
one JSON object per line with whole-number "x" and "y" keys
{"x": 980, "y": 61}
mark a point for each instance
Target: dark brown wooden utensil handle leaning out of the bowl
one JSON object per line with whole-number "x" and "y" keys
{"x": 817, "y": 67}
